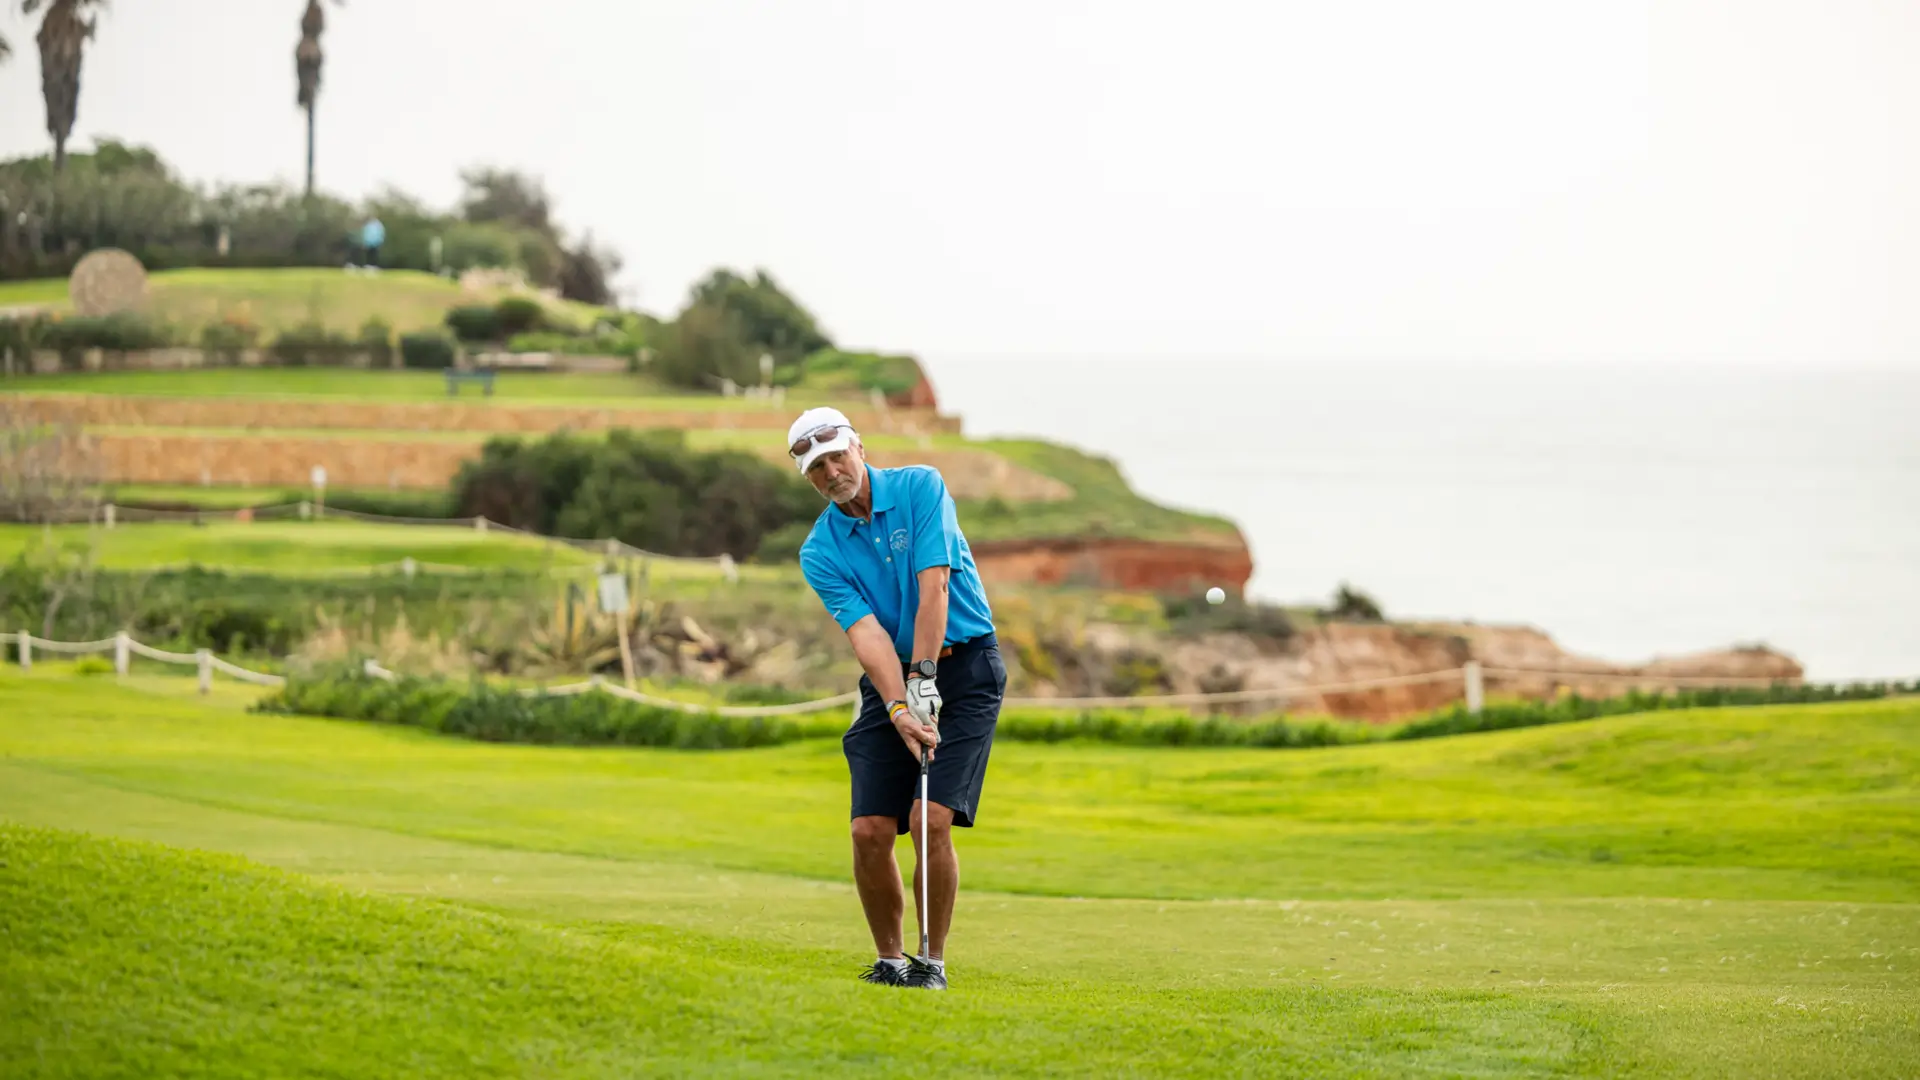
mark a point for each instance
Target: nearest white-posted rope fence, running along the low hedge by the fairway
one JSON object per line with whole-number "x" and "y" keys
{"x": 1472, "y": 675}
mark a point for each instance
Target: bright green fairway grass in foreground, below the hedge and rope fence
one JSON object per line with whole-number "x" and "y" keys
{"x": 1679, "y": 895}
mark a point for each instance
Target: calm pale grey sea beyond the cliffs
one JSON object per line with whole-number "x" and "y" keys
{"x": 1629, "y": 510}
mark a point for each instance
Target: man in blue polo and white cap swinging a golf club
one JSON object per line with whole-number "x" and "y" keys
{"x": 894, "y": 570}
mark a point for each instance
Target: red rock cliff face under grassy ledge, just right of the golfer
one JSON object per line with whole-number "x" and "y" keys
{"x": 1141, "y": 566}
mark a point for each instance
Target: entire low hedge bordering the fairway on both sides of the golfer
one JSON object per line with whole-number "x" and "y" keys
{"x": 602, "y": 720}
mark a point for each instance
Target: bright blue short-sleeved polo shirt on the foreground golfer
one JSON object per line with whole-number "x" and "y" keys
{"x": 873, "y": 568}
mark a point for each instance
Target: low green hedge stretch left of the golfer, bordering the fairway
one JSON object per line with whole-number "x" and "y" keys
{"x": 485, "y": 714}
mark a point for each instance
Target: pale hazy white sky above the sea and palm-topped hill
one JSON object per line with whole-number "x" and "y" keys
{"x": 1533, "y": 180}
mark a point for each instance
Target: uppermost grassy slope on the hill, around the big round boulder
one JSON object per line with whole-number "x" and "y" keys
{"x": 279, "y": 299}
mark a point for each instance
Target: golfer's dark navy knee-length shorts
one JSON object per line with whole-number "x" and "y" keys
{"x": 886, "y": 775}
